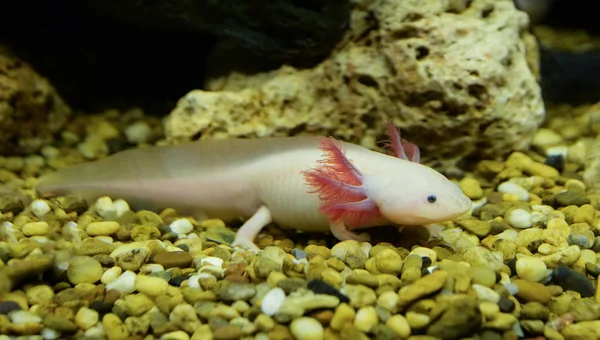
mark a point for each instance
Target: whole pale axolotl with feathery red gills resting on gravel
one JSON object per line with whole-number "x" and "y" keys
{"x": 303, "y": 183}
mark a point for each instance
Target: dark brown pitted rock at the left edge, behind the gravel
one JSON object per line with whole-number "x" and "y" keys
{"x": 31, "y": 110}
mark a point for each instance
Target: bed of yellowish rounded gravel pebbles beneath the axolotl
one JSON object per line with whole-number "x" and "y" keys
{"x": 523, "y": 264}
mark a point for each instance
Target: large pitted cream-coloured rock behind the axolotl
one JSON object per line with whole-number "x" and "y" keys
{"x": 389, "y": 65}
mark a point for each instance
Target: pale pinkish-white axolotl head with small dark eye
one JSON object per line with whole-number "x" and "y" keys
{"x": 410, "y": 193}
